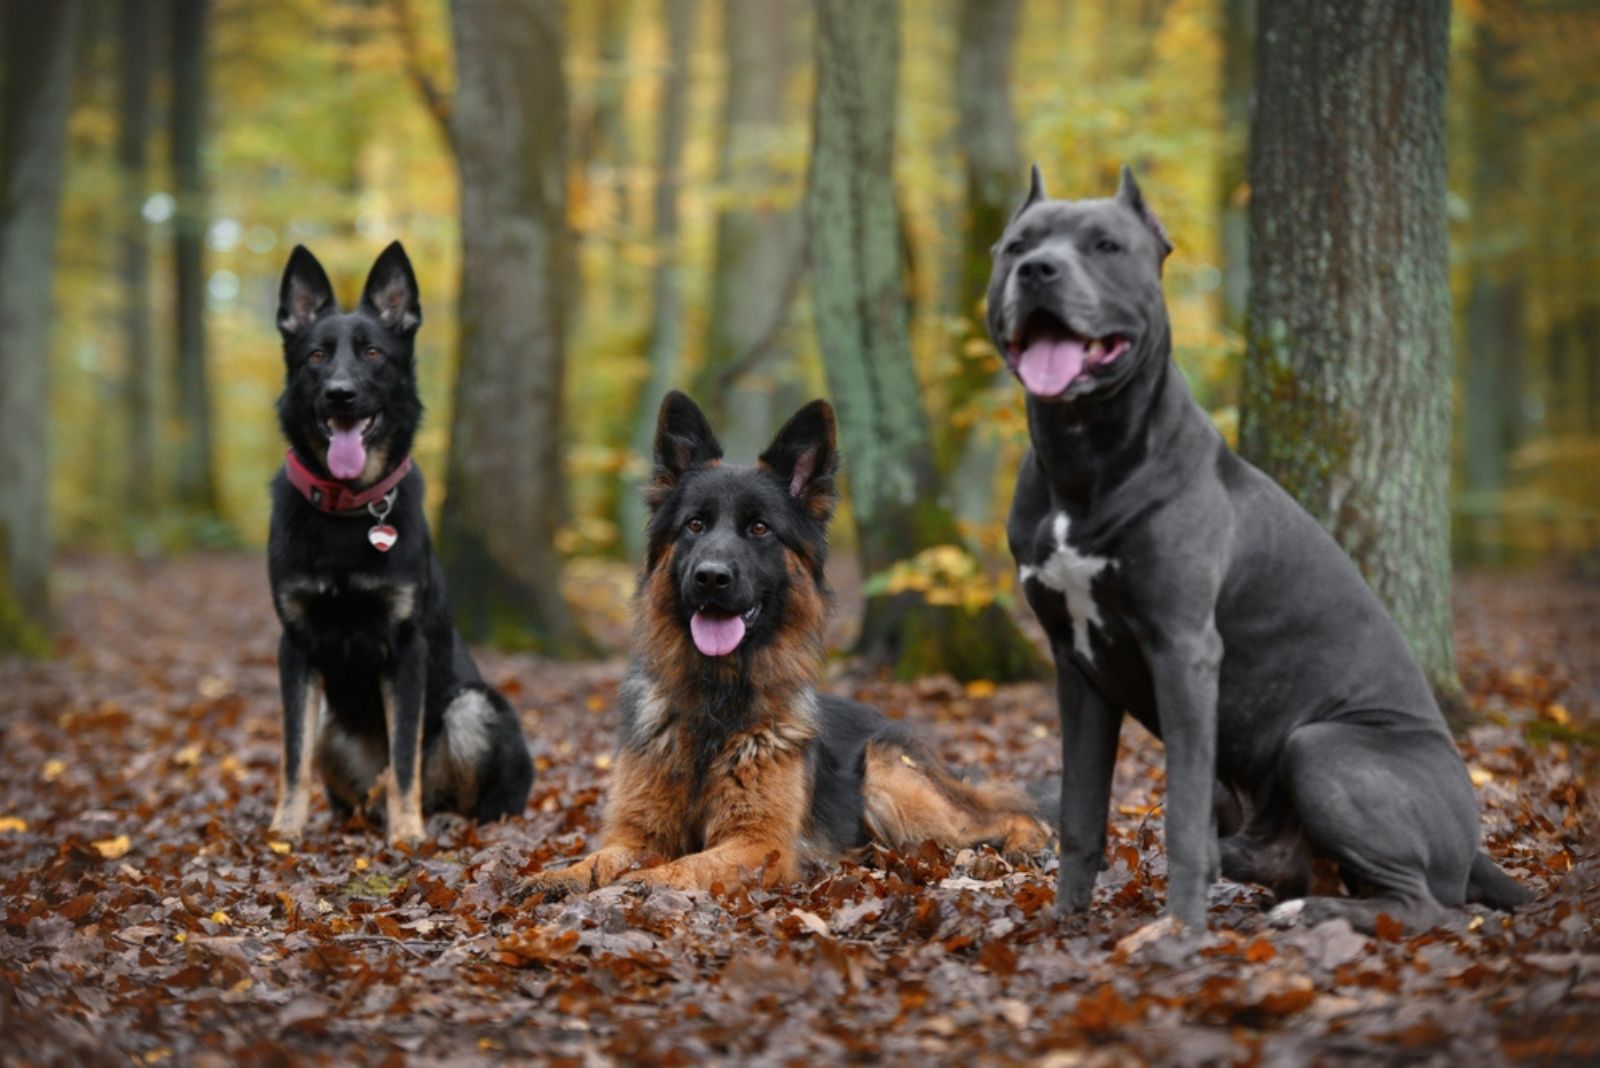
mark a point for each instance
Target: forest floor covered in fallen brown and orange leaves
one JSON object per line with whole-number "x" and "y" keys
{"x": 146, "y": 919}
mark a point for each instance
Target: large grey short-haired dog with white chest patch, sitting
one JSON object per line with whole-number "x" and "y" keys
{"x": 1180, "y": 584}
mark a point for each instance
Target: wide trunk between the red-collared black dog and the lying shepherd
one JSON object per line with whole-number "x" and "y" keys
{"x": 506, "y": 493}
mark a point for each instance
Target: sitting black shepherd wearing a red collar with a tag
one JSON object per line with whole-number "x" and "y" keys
{"x": 367, "y": 631}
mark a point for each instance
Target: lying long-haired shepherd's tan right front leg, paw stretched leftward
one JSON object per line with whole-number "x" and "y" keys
{"x": 756, "y": 811}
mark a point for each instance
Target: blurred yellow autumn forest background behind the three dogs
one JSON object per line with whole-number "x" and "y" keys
{"x": 609, "y": 199}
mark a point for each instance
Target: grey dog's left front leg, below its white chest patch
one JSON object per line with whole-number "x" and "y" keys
{"x": 1089, "y": 757}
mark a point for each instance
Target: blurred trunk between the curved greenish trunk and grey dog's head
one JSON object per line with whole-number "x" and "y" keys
{"x": 994, "y": 170}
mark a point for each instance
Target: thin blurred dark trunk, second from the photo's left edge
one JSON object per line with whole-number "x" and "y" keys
{"x": 134, "y": 129}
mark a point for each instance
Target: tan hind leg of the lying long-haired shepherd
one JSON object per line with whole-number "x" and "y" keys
{"x": 910, "y": 800}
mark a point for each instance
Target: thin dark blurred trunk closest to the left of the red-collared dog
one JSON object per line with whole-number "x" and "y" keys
{"x": 196, "y": 474}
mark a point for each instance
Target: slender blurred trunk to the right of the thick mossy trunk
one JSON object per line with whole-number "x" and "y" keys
{"x": 1494, "y": 330}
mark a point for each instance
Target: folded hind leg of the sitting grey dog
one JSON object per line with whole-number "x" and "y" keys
{"x": 1393, "y": 805}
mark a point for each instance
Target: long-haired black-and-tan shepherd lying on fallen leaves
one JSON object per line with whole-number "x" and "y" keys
{"x": 730, "y": 760}
